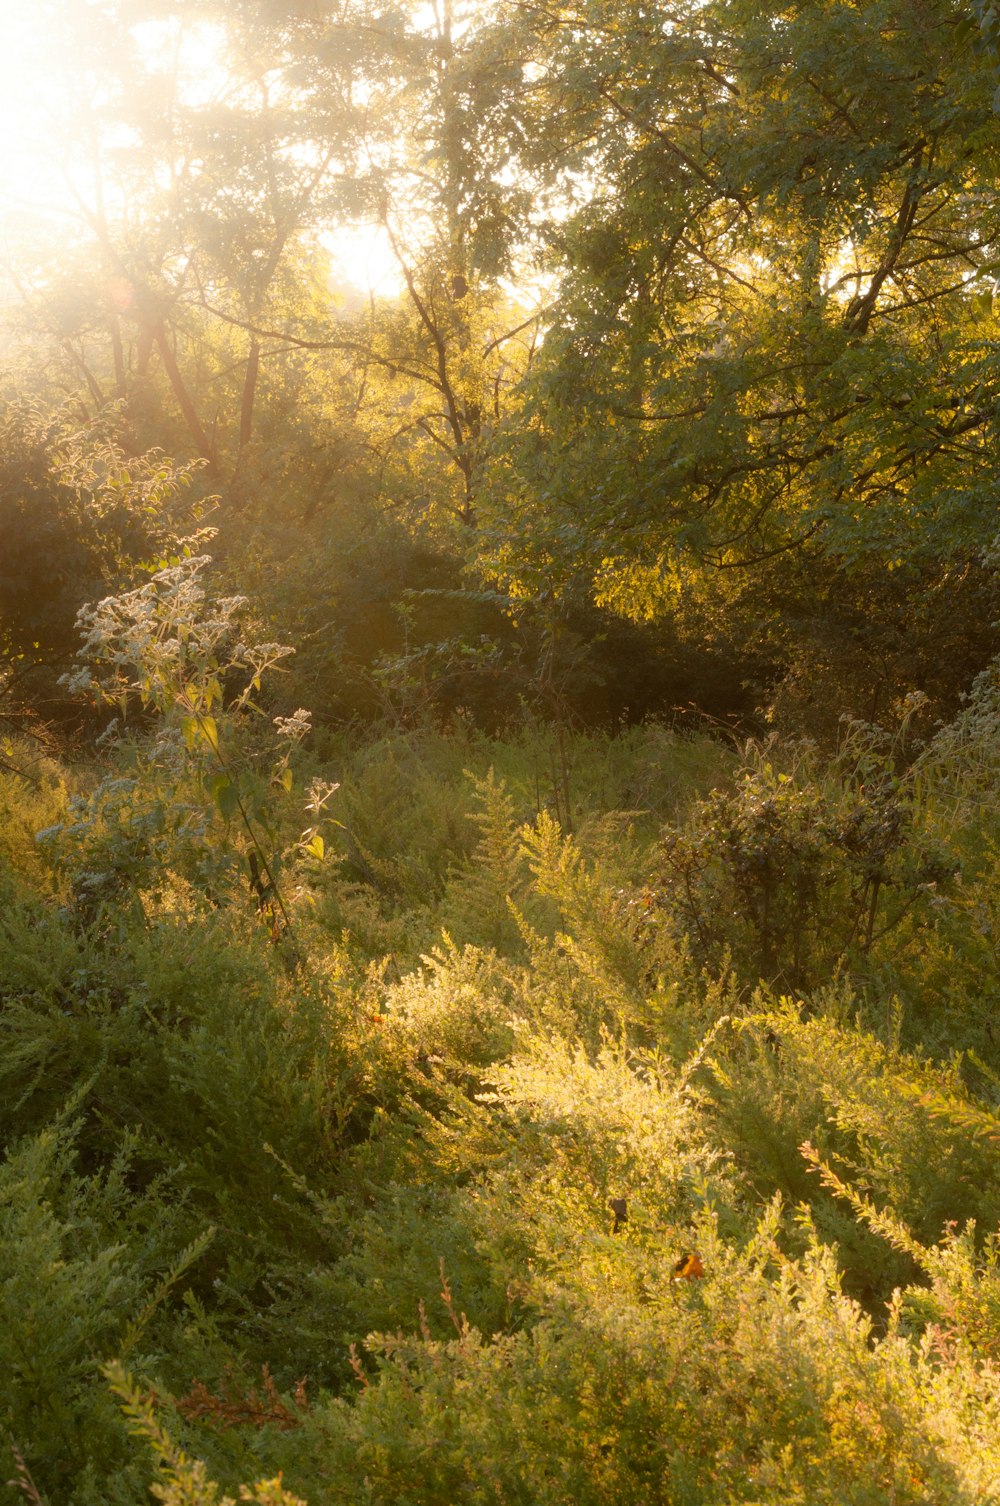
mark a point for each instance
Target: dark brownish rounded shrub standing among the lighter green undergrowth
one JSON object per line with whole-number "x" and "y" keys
{"x": 796, "y": 876}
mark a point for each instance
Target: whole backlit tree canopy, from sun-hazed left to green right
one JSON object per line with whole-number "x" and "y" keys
{"x": 687, "y": 312}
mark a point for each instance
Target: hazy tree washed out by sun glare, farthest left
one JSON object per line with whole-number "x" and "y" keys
{"x": 204, "y": 153}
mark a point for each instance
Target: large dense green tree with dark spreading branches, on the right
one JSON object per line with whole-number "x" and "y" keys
{"x": 772, "y": 368}
